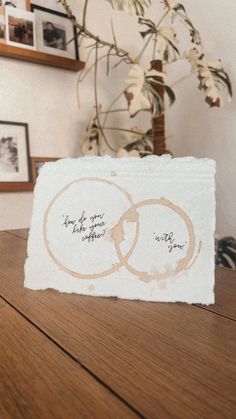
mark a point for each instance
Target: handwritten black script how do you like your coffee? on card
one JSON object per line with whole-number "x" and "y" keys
{"x": 88, "y": 227}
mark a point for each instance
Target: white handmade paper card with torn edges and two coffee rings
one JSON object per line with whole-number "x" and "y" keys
{"x": 131, "y": 228}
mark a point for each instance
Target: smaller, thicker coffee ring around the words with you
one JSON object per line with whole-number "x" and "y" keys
{"x": 182, "y": 264}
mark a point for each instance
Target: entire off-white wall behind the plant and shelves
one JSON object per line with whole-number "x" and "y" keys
{"x": 46, "y": 99}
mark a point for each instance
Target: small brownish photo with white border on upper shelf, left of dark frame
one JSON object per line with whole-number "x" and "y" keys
{"x": 20, "y": 28}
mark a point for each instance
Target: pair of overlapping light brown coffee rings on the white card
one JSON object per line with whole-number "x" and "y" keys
{"x": 127, "y": 215}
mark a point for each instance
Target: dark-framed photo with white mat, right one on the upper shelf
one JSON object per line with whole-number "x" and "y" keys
{"x": 55, "y": 33}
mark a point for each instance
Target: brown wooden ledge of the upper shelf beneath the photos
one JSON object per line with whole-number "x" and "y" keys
{"x": 42, "y": 58}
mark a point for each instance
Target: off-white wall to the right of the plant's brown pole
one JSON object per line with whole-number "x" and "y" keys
{"x": 197, "y": 130}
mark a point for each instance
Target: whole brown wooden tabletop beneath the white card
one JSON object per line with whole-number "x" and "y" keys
{"x": 70, "y": 356}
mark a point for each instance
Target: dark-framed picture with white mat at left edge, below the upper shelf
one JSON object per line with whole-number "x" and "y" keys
{"x": 15, "y": 165}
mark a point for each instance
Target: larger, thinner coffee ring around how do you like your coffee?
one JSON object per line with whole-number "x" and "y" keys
{"x": 109, "y": 271}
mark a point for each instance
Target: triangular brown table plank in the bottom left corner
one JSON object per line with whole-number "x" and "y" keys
{"x": 38, "y": 380}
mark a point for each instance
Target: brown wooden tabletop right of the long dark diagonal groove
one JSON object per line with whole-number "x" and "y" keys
{"x": 164, "y": 360}
